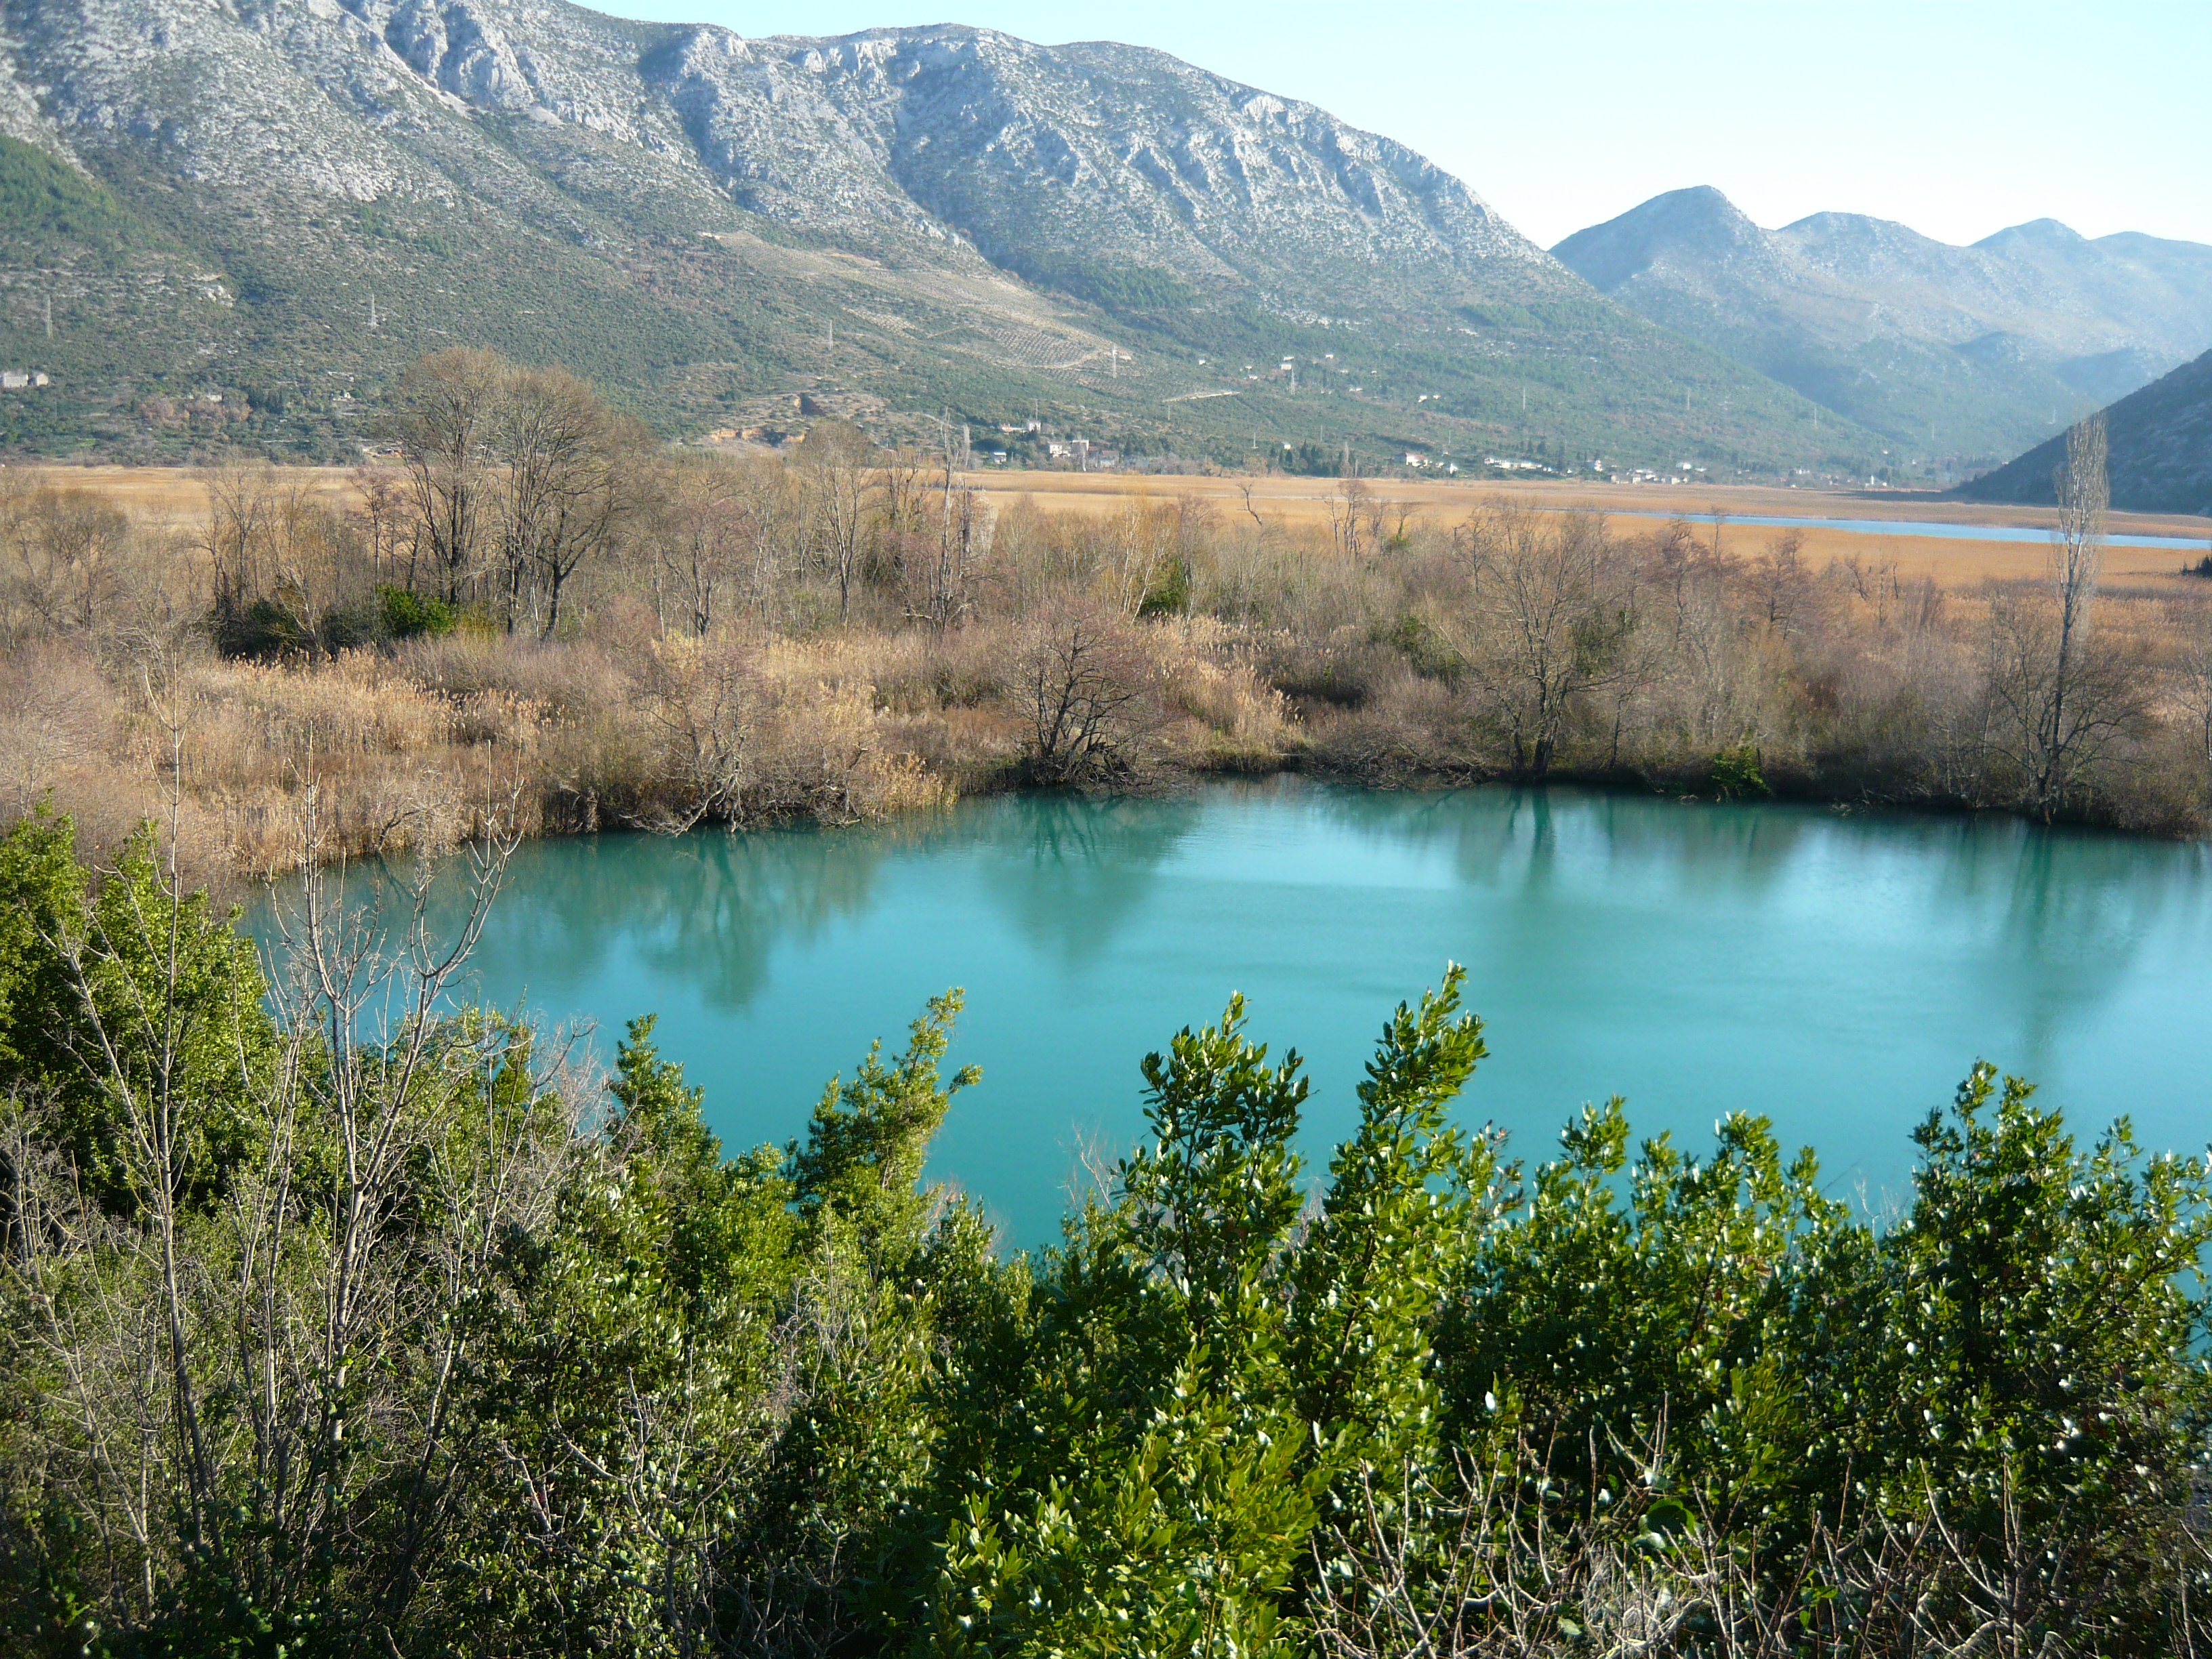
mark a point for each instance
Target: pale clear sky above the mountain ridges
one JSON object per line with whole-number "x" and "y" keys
{"x": 1952, "y": 116}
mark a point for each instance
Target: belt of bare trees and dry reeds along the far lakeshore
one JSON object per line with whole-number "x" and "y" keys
{"x": 536, "y": 616}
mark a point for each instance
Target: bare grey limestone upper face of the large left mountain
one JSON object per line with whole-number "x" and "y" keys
{"x": 1043, "y": 160}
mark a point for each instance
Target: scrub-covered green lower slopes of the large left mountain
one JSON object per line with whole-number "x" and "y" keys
{"x": 698, "y": 315}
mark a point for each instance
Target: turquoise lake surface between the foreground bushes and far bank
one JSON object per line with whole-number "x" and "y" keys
{"x": 1835, "y": 972}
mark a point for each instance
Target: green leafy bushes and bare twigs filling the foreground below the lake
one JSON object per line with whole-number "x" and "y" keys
{"x": 444, "y": 1346}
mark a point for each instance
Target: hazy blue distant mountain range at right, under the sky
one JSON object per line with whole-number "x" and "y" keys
{"x": 1952, "y": 353}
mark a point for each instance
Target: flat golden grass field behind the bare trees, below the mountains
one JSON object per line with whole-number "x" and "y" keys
{"x": 174, "y": 494}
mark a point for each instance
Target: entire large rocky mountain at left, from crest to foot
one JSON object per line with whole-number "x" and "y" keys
{"x": 240, "y": 218}
